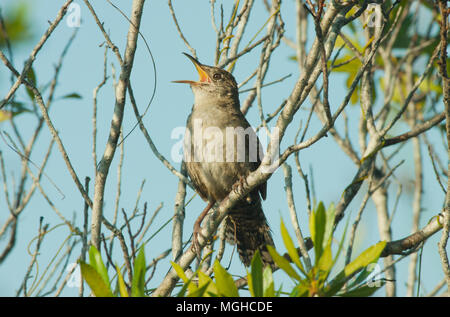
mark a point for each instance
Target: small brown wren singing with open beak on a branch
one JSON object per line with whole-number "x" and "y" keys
{"x": 220, "y": 150}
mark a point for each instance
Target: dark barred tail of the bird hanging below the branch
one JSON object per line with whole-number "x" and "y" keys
{"x": 246, "y": 226}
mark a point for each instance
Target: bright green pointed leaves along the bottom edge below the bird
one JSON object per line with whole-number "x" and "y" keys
{"x": 350, "y": 281}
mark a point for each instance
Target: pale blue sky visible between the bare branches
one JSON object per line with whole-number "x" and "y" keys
{"x": 82, "y": 72}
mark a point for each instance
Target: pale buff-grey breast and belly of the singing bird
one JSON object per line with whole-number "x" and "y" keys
{"x": 219, "y": 148}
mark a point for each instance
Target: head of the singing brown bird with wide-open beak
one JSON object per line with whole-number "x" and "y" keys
{"x": 213, "y": 83}
